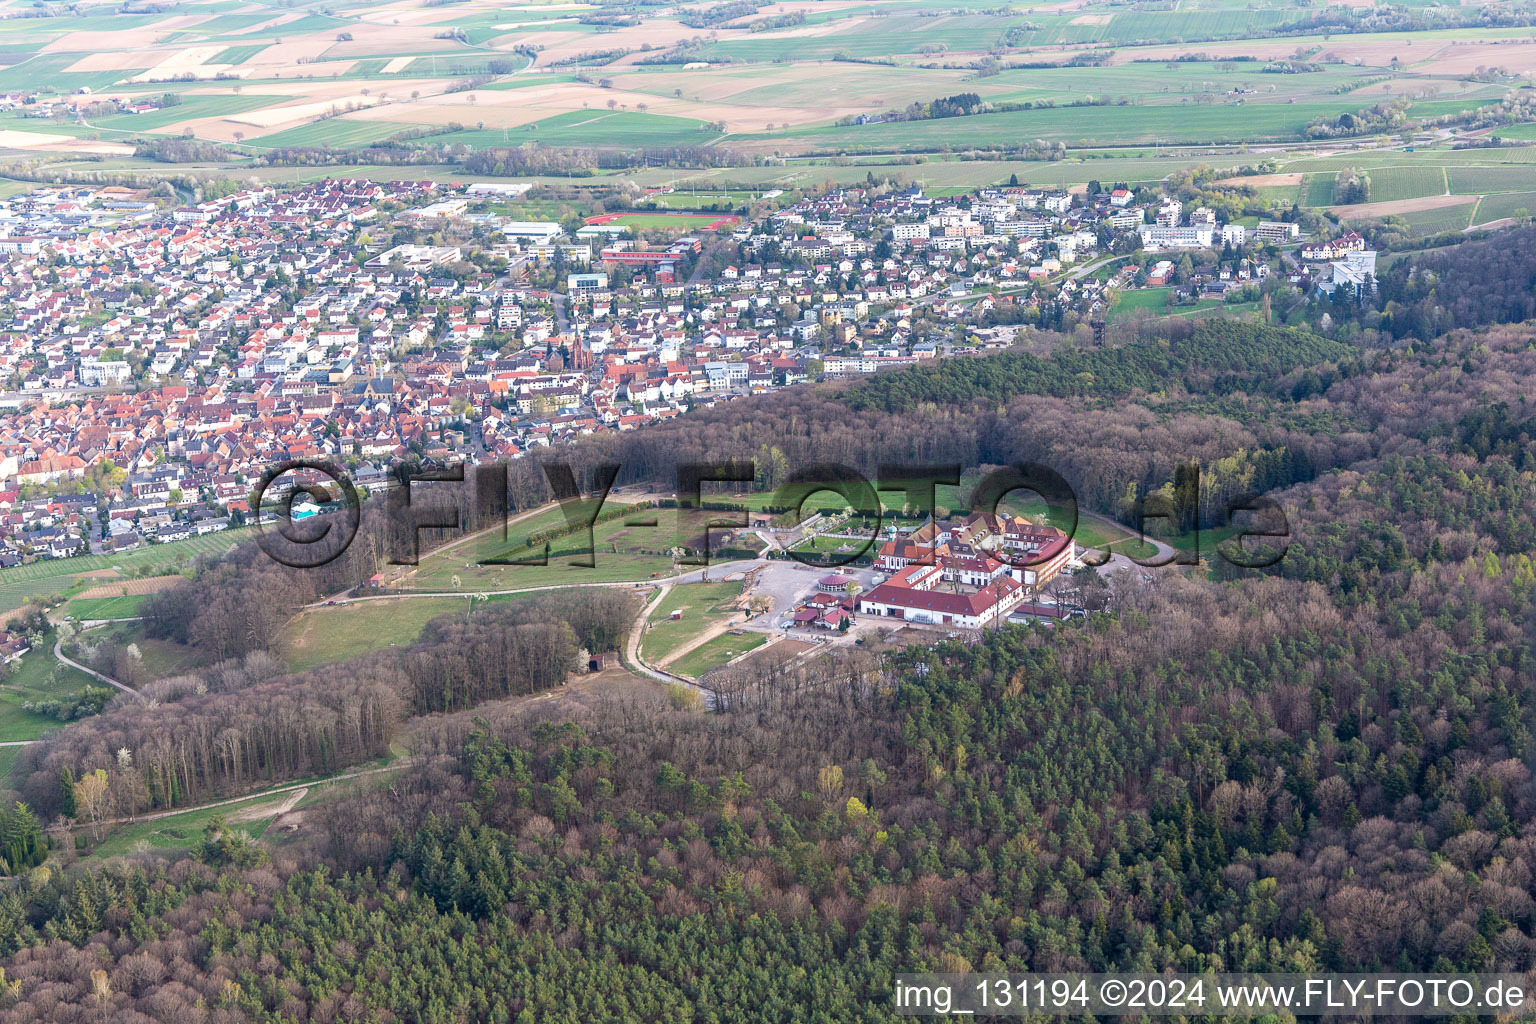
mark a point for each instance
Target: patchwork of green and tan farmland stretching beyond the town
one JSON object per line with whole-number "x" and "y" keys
{"x": 543, "y": 74}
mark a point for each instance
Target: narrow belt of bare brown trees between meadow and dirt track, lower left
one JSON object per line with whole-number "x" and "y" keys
{"x": 245, "y": 724}
